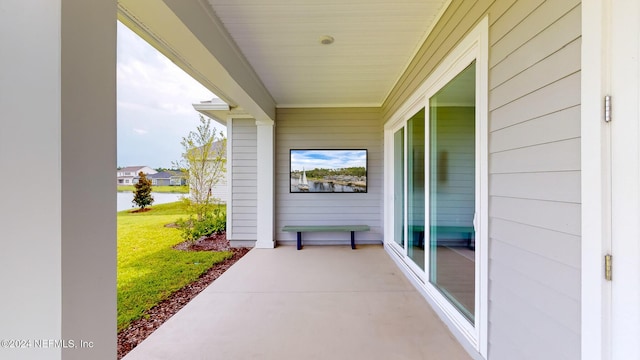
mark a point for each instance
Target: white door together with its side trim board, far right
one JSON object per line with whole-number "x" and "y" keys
{"x": 610, "y": 191}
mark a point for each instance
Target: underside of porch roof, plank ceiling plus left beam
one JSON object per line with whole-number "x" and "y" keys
{"x": 258, "y": 56}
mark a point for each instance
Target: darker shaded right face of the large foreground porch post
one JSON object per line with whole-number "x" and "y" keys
{"x": 88, "y": 159}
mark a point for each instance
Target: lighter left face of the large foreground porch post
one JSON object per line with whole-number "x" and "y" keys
{"x": 30, "y": 215}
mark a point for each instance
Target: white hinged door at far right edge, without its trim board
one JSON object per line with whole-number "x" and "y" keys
{"x": 625, "y": 179}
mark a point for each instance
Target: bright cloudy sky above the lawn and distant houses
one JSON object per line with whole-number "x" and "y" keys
{"x": 154, "y": 104}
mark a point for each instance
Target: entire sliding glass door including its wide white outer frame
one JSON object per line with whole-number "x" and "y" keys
{"x": 437, "y": 196}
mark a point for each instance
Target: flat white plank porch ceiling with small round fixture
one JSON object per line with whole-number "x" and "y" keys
{"x": 374, "y": 42}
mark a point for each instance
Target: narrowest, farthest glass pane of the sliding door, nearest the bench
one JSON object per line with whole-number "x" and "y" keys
{"x": 398, "y": 187}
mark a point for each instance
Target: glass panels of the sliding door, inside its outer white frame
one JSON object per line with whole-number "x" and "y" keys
{"x": 434, "y": 191}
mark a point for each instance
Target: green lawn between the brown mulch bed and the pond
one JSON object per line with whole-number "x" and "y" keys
{"x": 149, "y": 270}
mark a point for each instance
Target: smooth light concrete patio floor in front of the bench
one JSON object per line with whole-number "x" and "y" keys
{"x": 323, "y": 302}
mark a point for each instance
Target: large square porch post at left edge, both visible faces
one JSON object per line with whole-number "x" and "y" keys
{"x": 59, "y": 225}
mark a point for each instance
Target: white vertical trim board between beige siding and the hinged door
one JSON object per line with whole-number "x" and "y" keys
{"x": 596, "y": 202}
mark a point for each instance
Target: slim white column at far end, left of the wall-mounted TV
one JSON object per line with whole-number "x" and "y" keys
{"x": 265, "y": 210}
